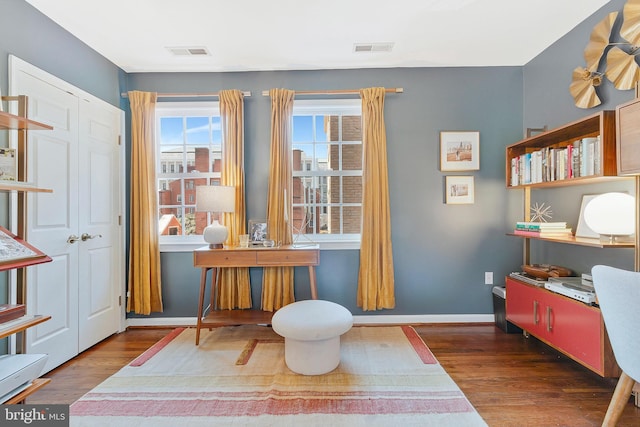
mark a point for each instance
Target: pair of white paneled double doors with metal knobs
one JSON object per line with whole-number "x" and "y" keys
{"x": 79, "y": 161}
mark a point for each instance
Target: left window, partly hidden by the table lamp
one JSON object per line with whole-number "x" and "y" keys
{"x": 189, "y": 152}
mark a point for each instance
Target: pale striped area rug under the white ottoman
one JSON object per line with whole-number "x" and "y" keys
{"x": 237, "y": 377}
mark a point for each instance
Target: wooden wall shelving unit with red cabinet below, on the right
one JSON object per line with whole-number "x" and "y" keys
{"x": 553, "y": 318}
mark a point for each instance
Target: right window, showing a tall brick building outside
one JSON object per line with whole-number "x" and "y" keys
{"x": 327, "y": 169}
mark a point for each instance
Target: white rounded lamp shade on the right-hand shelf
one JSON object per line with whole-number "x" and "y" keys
{"x": 611, "y": 214}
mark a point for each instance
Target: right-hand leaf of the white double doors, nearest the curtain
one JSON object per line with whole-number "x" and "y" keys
{"x": 99, "y": 229}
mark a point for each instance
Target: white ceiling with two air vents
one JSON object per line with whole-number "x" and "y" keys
{"x": 247, "y": 35}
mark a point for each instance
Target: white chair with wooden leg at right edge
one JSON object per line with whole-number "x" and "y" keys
{"x": 618, "y": 294}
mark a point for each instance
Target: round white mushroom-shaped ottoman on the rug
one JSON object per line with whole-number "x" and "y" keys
{"x": 311, "y": 331}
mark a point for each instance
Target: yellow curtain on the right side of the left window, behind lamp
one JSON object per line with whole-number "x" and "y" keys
{"x": 234, "y": 287}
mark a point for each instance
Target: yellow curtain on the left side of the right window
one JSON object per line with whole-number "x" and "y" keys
{"x": 277, "y": 282}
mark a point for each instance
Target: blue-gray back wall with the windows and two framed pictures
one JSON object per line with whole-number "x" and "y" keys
{"x": 440, "y": 251}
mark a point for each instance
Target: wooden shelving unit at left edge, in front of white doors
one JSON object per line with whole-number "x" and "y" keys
{"x": 21, "y": 124}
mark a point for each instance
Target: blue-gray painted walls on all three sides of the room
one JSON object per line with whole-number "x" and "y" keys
{"x": 440, "y": 251}
